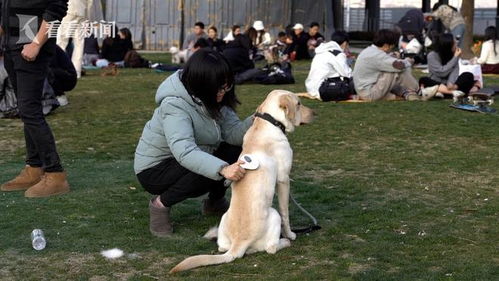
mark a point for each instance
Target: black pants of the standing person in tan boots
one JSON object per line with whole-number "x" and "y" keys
{"x": 27, "y": 78}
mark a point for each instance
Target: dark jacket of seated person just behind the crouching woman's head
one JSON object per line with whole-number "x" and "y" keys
{"x": 237, "y": 53}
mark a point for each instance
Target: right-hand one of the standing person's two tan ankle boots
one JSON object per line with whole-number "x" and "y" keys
{"x": 51, "y": 184}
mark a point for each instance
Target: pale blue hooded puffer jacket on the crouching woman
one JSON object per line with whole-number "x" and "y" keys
{"x": 182, "y": 128}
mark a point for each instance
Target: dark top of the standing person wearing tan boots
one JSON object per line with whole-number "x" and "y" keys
{"x": 20, "y": 12}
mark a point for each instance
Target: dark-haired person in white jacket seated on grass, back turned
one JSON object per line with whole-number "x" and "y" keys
{"x": 329, "y": 63}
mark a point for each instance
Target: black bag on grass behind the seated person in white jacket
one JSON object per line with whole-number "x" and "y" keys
{"x": 336, "y": 89}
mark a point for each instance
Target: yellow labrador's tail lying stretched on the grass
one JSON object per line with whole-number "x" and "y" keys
{"x": 236, "y": 251}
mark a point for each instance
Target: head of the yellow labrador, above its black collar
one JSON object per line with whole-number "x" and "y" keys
{"x": 286, "y": 108}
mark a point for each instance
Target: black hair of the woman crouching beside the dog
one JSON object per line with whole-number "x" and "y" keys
{"x": 204, "y": 75}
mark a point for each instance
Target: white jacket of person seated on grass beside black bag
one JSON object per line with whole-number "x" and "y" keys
{"x": 326, "y": 65}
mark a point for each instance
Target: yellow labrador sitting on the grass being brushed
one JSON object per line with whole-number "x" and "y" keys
{"x": 251, "y": 224}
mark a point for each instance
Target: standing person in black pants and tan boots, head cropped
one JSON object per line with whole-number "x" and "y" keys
{"x": 28, "y": 52}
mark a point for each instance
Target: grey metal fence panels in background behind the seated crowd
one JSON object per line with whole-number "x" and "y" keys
{"x": 160, "y": 24}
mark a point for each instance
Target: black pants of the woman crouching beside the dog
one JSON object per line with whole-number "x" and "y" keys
{"x": 174, "y": 183}
